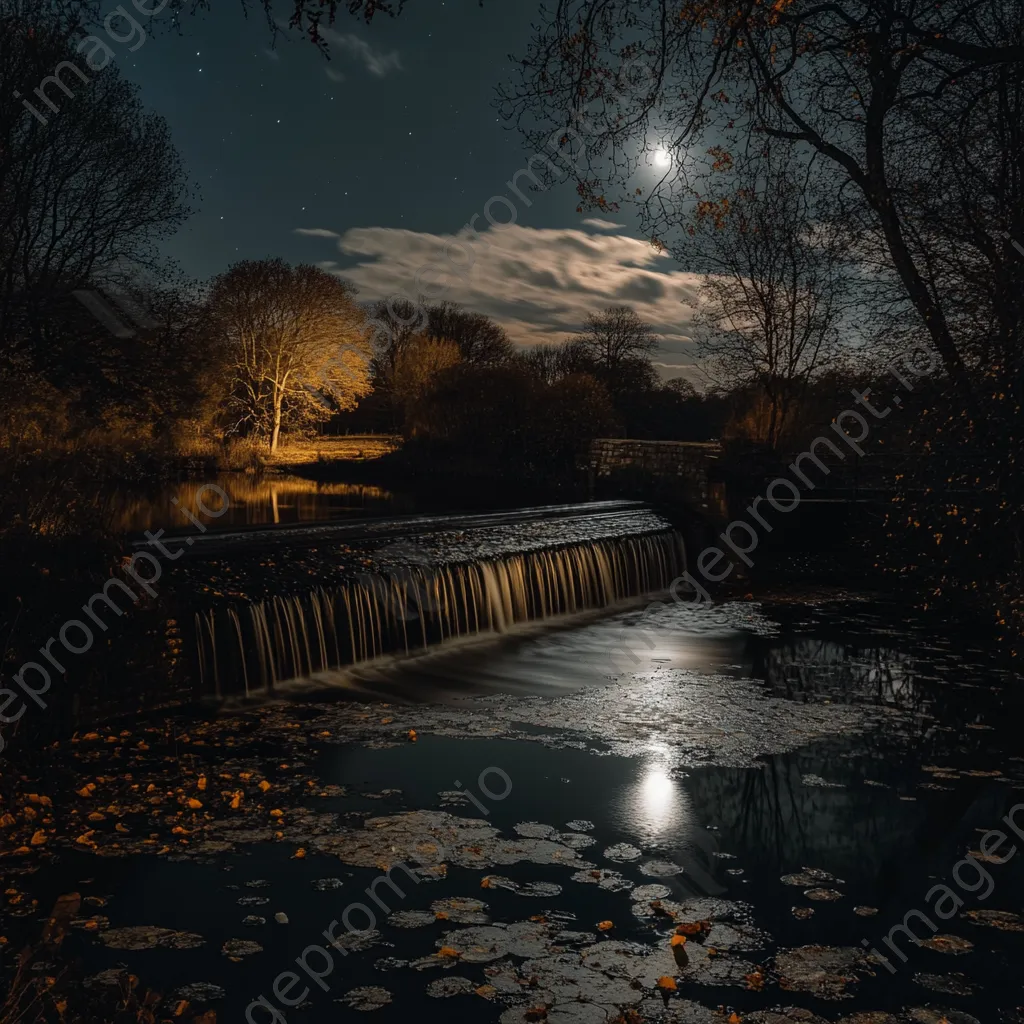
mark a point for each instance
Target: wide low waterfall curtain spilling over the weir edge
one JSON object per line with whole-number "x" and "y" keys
{"x": 250, "y": 648}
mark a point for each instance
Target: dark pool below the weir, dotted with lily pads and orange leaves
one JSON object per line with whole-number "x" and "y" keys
{"x": 780, "y": 782}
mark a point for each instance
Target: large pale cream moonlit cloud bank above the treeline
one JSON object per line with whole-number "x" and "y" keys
{"x": 539, "y": 283}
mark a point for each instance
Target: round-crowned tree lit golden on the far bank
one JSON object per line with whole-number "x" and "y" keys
{"x": 298, "y": 350}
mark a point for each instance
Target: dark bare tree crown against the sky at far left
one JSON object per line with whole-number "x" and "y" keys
{"x": 88, "y": 189}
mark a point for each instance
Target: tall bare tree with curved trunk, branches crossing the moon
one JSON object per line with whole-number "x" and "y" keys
{"x": 609, "y": 86}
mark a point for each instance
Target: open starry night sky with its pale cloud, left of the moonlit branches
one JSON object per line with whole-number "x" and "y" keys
{"x": 370, "y": 162}
